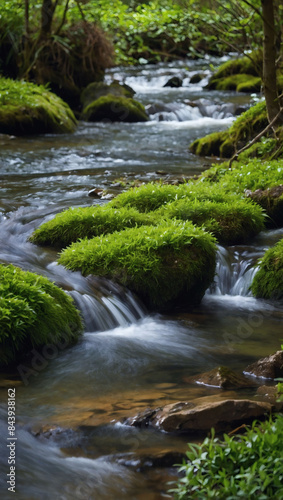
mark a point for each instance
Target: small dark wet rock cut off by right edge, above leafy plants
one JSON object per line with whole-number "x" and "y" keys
{"x": 269, "y": 367}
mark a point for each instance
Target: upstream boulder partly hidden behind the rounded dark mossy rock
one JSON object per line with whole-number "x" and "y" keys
{"x": 96, "y": 90}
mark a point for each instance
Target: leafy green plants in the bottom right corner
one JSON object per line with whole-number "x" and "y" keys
{"x": 248, "y": 466}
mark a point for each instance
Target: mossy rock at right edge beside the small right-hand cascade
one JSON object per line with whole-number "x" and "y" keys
{"x": 268, "y": 281}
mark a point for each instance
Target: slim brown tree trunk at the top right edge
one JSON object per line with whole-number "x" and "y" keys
{"x": 269, "y": 60}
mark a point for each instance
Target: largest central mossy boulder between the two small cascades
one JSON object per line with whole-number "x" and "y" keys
{"x": 169, "y": 266}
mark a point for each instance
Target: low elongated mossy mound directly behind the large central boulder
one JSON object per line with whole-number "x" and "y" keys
{"x": 88, "y": 222}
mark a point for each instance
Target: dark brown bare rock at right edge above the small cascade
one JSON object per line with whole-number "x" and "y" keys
{"x": 271, "y": 200}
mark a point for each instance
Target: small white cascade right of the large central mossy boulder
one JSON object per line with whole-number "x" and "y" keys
{"x": 234, "y": 273}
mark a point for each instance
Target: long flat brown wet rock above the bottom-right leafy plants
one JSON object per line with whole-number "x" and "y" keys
{"x": 199, "y": 418}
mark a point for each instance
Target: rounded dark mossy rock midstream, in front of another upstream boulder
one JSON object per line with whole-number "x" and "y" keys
{"x": 115, "y": 109}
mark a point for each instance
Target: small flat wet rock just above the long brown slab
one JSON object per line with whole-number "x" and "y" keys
{"x": 221, "y": 377}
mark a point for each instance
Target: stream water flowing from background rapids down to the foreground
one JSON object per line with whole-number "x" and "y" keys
{"x": 71, "y": 442}
